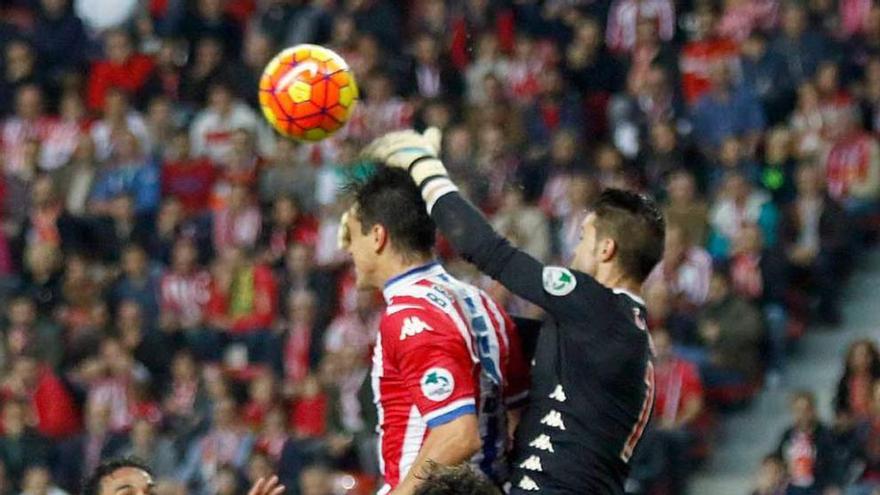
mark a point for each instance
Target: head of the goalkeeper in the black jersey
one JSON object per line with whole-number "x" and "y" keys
{"x": 622, "y": 237}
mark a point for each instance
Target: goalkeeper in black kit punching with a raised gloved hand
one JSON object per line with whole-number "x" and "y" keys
{"x": 592, "y": 378}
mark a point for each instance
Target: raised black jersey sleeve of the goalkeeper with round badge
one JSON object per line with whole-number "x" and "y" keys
{"x": 564, "y": 293}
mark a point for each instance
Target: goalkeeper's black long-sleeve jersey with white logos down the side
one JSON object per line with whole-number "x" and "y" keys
{"x": 592, "y": 378}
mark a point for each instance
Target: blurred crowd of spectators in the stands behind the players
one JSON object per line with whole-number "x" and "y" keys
{"x": 169, "y": 276}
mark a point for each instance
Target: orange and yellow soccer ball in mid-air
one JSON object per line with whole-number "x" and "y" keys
{"x": 307, "y": 92}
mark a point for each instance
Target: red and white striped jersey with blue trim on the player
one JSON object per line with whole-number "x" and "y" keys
{"x": 444, "y": 350}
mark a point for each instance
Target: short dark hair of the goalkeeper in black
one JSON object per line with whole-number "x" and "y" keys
{"x": 636, "y": 225}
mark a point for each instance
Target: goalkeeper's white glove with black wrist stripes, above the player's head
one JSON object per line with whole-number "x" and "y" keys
{"x": 417, "y": 153}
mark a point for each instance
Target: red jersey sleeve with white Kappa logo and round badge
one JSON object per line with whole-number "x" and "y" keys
{"x": 435, "y": 362}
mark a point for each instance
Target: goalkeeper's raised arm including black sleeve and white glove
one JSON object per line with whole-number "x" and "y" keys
{"x": 473, "y": 237}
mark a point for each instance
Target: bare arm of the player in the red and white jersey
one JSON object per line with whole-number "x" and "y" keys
{"x": 447, "y": 445}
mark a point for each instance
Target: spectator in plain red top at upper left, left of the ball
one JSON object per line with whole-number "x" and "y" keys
{"x": 123, "y": 68}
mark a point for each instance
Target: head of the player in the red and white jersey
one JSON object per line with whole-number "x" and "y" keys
{"x": 388, "y": 225}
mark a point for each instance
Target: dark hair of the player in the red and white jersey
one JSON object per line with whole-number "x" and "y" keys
{"x": 388, "y": 197}
